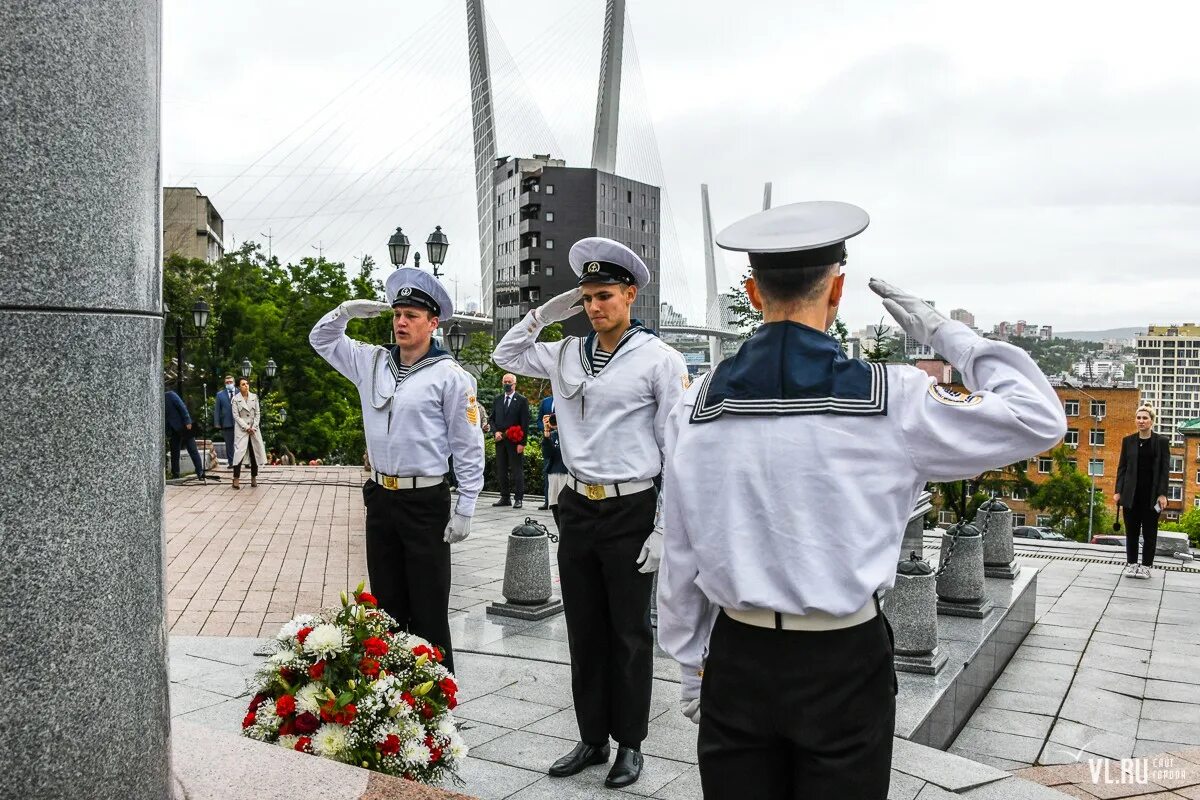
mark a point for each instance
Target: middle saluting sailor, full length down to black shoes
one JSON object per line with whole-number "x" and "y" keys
{"x": 614, "y": 392}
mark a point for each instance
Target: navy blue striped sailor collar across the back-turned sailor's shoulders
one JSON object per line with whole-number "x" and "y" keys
{"x": 788, "y": 369}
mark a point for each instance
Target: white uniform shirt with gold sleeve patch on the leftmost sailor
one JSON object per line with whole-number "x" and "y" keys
{"x": 415, "y": 425}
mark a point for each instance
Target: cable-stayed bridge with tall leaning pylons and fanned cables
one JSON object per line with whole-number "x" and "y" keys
{"x": 452, "y": 98}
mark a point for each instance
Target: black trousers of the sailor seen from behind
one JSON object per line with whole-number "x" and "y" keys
{"x": 797, "y": 714}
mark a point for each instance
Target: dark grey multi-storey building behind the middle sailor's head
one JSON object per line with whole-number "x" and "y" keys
{"x": 542, "y": 208}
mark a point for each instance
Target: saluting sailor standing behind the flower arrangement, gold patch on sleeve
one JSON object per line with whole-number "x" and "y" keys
{"x": 419, "y": 408}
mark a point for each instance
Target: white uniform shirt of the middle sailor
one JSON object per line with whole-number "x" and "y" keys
{"x": 611, "y": 425}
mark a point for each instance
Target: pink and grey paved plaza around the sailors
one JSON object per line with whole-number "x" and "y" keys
{"x": 1108, "y": 671}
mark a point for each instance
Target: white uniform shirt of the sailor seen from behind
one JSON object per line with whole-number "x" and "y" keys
{"x": 807, "y": 513}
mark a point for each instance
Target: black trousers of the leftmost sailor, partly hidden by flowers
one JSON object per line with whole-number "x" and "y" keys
{"x": 409, "y": 563}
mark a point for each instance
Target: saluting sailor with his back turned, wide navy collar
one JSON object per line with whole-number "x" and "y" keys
{"x": 775, "y": 555}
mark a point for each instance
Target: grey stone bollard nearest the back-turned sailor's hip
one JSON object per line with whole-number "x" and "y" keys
{"x": 913, "y": 610}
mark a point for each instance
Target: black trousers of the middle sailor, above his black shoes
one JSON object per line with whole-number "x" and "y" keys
{"x": 608, "y": 607}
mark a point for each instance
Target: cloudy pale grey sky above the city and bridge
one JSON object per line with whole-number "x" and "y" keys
{"x": 1033, "y": 160}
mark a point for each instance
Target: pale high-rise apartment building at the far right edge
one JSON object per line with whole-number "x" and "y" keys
{"x": 1169, "y": 376}
